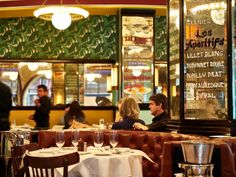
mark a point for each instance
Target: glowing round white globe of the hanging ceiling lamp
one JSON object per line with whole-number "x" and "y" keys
{"x": 61, "y": 20}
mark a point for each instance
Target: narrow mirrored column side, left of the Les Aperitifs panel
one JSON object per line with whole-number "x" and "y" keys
{"x": 174, "y": 70}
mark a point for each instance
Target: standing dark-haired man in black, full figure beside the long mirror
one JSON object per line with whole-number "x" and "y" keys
{"x": 43, "y": 106}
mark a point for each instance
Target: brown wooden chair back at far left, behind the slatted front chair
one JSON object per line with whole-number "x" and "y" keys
{"x": 17, "y": 153}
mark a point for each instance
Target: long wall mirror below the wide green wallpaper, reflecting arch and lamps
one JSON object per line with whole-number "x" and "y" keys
{"x": 90, "y": 84}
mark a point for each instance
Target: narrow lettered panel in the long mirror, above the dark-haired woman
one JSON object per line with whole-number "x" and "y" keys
{"x": 71, "y": 80}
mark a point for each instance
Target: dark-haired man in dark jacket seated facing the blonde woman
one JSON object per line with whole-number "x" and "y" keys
{"x": 157, "y": 106}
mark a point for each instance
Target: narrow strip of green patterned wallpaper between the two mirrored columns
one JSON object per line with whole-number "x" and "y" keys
{"x": 160, "y": 38}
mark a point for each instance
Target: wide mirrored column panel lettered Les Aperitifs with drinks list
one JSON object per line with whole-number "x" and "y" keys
{"x": 205, "y": 59}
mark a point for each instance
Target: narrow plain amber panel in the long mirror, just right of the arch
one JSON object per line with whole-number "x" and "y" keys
{"x": 58, "y": 83}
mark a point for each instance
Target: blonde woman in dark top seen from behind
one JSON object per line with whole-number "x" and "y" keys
{"x": 129, "y": 112}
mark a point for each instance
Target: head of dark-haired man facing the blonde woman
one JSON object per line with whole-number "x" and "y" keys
{"x": 157, "y": 104}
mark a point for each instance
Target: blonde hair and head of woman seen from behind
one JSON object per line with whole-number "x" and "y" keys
{"x": 129, "y": 108}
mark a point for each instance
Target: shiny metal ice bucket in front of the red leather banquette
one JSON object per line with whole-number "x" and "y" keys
{"x": 197, "y": 152}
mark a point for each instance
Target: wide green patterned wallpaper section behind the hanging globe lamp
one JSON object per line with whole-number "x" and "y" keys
{"x": 32, "y": 38}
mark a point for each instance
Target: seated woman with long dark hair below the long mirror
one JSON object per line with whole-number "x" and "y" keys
{"x": 74, "y": 114}
